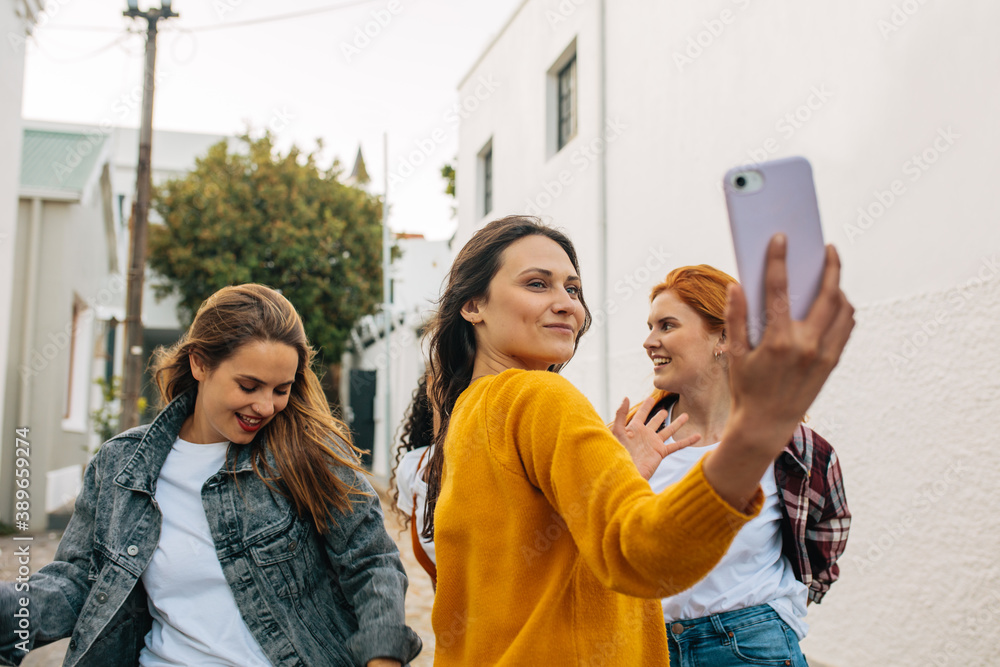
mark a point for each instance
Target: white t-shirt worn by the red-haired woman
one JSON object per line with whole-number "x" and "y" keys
{"x": 753, "y": 571}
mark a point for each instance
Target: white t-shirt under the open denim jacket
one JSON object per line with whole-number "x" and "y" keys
{"x": 195, "y": 617}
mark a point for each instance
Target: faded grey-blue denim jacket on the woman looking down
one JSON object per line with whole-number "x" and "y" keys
{"x": 308, "y": 599}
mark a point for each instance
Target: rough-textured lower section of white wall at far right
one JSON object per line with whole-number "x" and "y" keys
{"x": 911, "y": 410}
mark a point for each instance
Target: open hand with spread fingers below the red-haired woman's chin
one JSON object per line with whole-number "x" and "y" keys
{"x": 643, "y": 442}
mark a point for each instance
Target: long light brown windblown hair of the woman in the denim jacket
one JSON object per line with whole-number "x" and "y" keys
{"x": 306, "y": 440}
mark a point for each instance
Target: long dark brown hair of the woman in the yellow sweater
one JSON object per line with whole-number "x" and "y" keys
{"x": 452, "y": 341}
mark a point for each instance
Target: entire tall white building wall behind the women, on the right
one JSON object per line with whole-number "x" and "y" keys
{"x": 894, "y": 104}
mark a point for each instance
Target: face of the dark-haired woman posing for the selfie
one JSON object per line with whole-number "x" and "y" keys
{"x": 532, "y": 312}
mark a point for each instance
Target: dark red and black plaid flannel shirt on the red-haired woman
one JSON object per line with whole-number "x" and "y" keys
{"x": 814, "y": 507}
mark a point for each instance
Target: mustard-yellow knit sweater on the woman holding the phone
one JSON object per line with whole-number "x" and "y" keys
{"x": 545, "y": 531}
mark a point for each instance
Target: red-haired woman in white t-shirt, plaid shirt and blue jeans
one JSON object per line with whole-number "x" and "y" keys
{"x": 750, "y": 609}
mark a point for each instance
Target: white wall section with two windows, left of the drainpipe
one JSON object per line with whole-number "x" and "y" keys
{"x": 505, "y": 99}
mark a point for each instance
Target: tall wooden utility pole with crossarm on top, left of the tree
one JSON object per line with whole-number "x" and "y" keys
{"x": 132, "y": 384}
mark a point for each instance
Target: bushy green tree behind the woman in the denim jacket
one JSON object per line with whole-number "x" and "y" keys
{"x": 257, "y": 216}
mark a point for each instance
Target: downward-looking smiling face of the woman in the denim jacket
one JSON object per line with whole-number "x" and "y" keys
{"x": 242, "y": 394}
